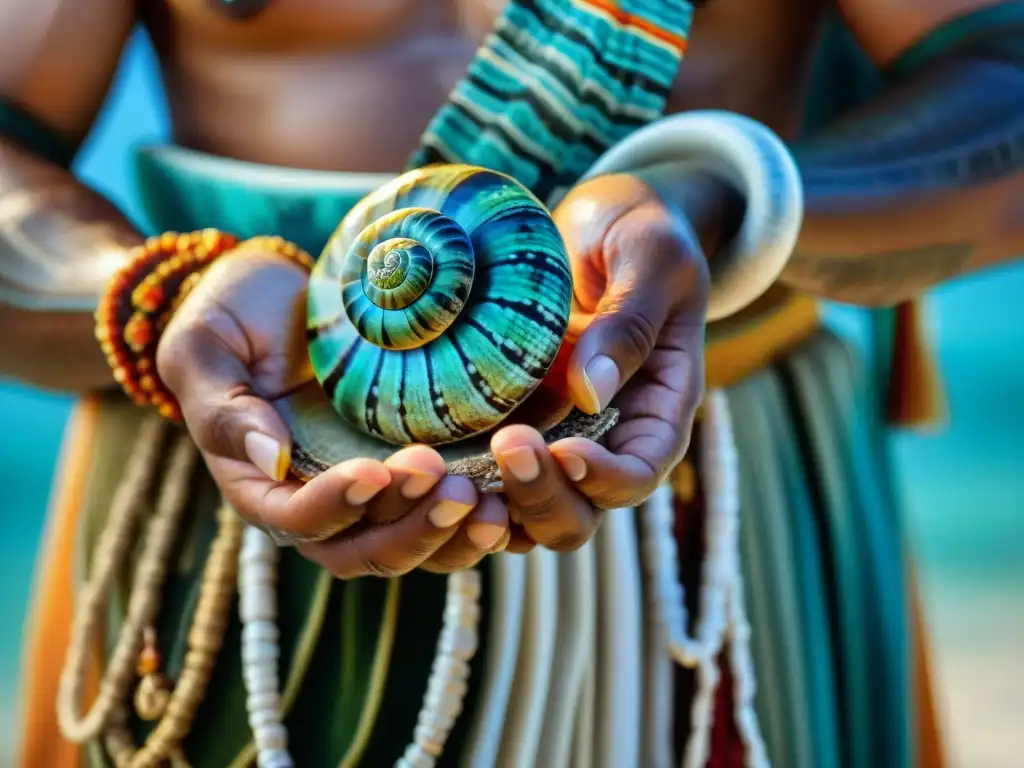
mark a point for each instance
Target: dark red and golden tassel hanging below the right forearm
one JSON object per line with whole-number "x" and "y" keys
{"x": 917, "y": 397}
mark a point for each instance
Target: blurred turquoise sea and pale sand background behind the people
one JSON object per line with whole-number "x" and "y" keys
{"x": 964, "y": 488}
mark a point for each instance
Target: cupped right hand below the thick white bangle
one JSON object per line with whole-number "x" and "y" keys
{"x": 641, "y": 283}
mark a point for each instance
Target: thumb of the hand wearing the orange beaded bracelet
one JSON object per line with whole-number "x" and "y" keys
{"x": 203, "y": 364}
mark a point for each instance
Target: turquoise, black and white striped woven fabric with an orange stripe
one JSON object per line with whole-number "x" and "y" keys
{"x": 557, "y": 83}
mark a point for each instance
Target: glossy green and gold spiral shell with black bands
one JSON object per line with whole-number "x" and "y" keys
{"x": 439, "y": 306}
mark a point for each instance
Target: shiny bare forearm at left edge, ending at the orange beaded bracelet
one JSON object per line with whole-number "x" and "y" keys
{"x": 60, "y": 244}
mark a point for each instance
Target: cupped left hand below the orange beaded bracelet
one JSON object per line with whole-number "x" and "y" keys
{"x": 238, "y": 344}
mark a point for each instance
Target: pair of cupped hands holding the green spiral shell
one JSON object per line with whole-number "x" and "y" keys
{"x": 641, "y": 284}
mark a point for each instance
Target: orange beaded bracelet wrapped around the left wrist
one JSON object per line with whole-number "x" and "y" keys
{"x": 144, "y": 296}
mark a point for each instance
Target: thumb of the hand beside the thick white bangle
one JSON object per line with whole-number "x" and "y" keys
{"x": 618, "y": 340}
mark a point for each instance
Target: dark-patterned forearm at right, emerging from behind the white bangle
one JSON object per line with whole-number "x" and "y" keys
{"x": 925, "y": 185}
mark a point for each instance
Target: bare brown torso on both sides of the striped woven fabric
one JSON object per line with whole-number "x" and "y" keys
{"x": 351, "y": 84}
